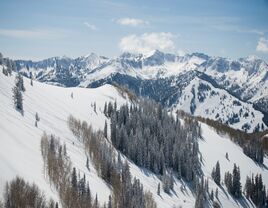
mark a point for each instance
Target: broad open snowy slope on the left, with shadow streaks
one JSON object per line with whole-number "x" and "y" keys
{"x": 20, "y": 139}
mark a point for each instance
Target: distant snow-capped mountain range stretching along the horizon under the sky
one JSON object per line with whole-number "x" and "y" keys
{"x": 165, "y": 77}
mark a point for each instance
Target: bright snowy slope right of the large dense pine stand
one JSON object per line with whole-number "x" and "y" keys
{"x": 213, "y": 149}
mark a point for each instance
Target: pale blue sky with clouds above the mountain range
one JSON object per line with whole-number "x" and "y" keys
{"x": 38, "y": 29}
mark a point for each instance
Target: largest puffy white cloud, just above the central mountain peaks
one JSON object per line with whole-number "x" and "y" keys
{"x": 147, "y": 42}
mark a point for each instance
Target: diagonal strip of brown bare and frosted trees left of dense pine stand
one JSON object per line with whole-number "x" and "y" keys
{"x": 127, "y": 192}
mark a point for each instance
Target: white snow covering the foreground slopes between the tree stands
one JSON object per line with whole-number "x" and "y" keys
{"x": 20, "y": 142}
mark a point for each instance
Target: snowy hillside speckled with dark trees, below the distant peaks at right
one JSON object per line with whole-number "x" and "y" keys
{"x": 200, "y": 98}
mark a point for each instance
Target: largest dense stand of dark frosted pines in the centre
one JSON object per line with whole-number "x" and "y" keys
{"x": 153, "y": 139}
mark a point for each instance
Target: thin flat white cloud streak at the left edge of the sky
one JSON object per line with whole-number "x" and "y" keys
{"x": 33, "y": 33}
